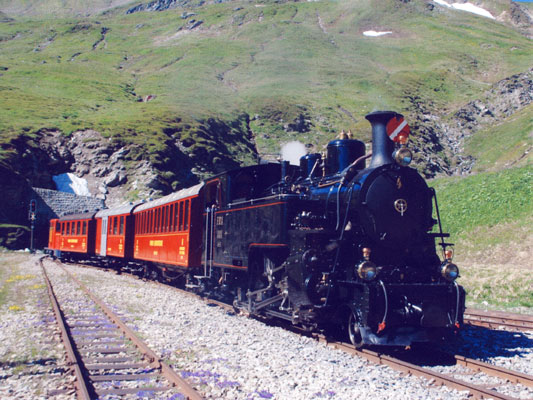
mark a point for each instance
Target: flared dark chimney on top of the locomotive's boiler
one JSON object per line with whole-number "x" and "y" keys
{"x": 382, "y": 145}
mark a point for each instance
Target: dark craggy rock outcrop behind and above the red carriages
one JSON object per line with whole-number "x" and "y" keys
{"x": 117, "y": 172}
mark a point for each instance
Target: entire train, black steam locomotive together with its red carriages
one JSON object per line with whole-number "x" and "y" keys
{"x": 330, "y": 244}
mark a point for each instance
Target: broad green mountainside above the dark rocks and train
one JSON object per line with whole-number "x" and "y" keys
{"x": 279, "y": 61}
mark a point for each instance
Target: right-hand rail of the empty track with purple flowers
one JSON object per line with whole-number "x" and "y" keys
{"x": 155, "y": 361}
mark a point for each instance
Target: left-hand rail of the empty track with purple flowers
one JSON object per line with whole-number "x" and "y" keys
{"x": 74, "y": 361}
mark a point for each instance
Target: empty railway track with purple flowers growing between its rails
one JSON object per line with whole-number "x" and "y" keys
{"x": 107, "y": 358}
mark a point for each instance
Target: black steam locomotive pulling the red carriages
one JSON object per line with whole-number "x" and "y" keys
{"x": 333, "y": 243}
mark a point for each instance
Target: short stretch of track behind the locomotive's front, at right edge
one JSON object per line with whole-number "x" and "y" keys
{"x": 498, "y": 319}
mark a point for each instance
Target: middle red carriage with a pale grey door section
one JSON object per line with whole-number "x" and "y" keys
{"x": 114, "y": 232}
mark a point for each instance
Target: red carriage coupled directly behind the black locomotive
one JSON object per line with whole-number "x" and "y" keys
{"x": 169, "y": 230}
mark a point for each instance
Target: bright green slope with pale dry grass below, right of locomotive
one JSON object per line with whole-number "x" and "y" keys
{"x": 490, "y": 218}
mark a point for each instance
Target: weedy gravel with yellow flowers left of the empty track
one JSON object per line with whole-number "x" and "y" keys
{"x": 32, "y": 358}
